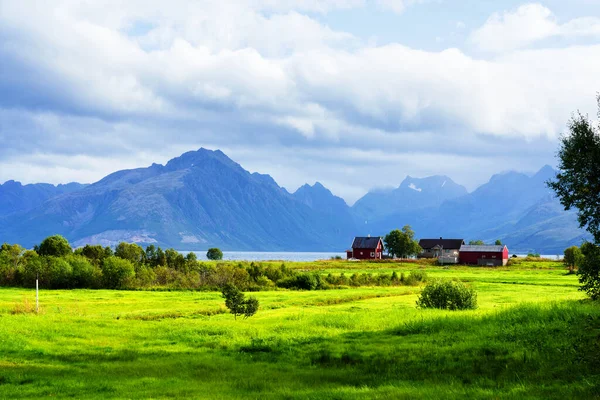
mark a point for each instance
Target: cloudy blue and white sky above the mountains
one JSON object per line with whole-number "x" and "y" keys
{"x": 355, "y": 94}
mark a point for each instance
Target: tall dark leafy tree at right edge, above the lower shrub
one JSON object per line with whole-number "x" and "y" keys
{"x": 577, "y": 185}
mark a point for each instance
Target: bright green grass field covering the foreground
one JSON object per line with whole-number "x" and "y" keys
{"x": 533, "y": 336}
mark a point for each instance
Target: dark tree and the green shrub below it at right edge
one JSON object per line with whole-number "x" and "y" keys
{"x": 577, "y": 185}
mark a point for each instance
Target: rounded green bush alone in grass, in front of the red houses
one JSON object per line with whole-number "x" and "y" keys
{"x": 447, "y": 295}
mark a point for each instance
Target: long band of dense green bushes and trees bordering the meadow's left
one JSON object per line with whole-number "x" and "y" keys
{"x": 129, "y": 266}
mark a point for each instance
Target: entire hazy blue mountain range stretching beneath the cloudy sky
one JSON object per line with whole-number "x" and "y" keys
{"x": 204, "y": 199}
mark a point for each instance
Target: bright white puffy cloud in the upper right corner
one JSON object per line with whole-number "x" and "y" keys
{"x": 528, "y": 24}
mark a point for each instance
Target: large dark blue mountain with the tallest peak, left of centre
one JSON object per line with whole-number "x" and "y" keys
{"x": 197, "y": 200}
